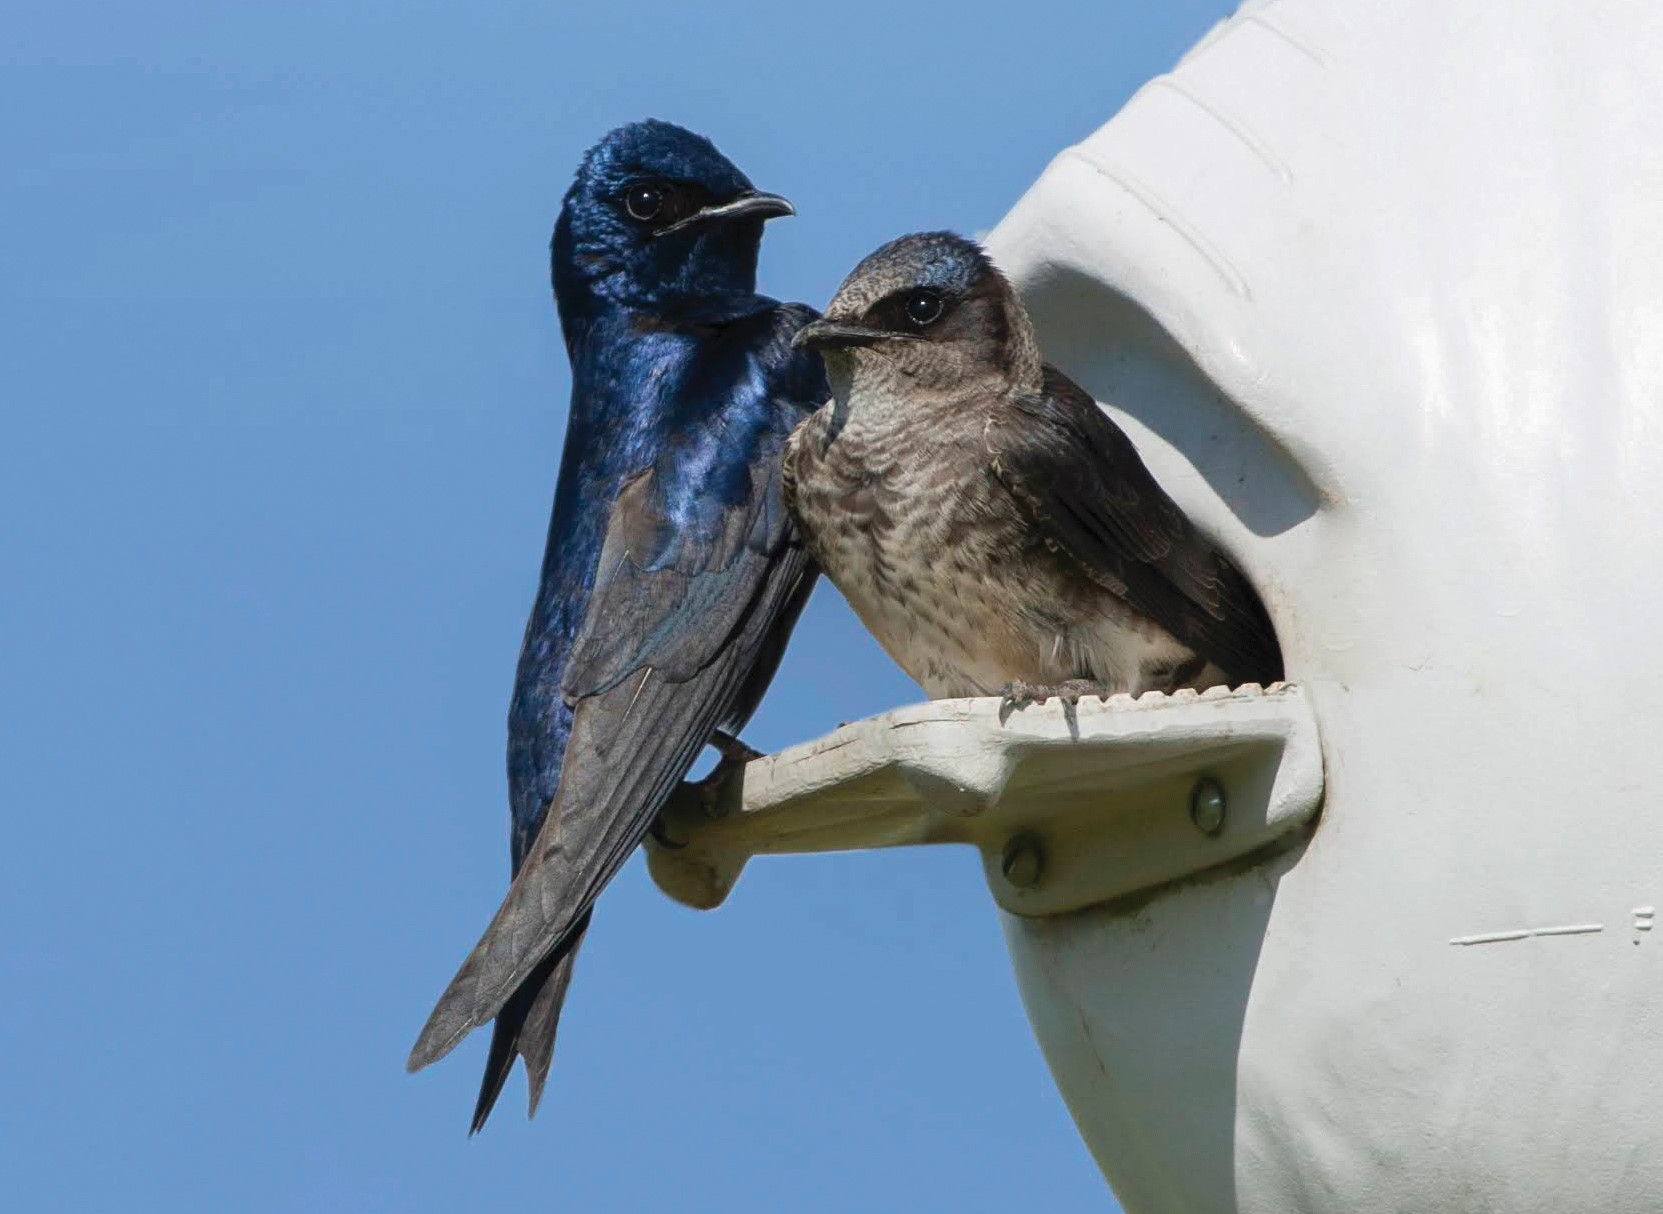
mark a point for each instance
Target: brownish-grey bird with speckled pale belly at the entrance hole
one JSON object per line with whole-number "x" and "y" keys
{"x": 987, "y": 521}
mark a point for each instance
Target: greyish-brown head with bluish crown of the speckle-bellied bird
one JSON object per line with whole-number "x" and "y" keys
{"x": 934, "y": 312}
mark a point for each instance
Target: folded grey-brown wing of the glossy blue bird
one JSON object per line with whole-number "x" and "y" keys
{"x": 681, "y": 616}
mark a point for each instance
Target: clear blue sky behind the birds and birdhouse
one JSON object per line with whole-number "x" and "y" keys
{"x": 284, "y": 398}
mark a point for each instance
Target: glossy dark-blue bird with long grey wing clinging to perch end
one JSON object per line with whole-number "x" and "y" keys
{"x": 673, "y": 573}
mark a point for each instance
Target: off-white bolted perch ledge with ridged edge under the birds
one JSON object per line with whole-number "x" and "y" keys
{"x": 1098, "y": 794}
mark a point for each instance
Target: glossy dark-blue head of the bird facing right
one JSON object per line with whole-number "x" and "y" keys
{"x": 658, "y": 214}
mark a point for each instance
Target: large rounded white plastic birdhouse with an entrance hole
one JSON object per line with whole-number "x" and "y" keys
{"x": 1379, "y": 294}
